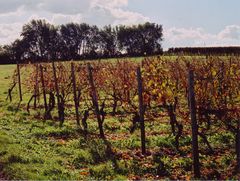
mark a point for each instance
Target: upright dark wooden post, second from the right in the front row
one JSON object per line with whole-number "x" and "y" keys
{"x": 141, "y": 110}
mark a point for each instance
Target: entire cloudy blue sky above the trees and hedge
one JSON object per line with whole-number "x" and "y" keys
{"x": 185, "y": 22}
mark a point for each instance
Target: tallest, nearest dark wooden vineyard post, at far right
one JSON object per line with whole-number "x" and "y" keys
{"x": 194, "y": 124}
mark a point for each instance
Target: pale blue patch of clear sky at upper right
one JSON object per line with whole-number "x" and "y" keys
{"x": 212, "y": 15}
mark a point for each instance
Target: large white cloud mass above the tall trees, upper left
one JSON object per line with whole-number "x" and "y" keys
{"x": 99, "y": 12}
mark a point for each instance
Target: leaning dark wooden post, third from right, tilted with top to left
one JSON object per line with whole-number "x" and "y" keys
{"x": 95, "y": 101}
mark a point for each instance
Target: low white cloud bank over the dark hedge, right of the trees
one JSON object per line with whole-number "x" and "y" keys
{"x": 184, "y": 37}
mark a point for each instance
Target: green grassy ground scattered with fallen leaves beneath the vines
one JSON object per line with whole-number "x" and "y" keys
{"x": 32, "y": 148}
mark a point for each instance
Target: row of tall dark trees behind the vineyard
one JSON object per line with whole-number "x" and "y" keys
{"x": 42, "y": 41}
